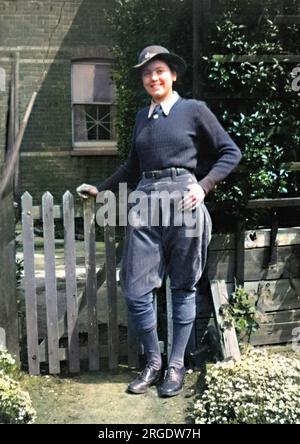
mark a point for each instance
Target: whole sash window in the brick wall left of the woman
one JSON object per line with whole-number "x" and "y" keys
{"x": 93, "y": 108}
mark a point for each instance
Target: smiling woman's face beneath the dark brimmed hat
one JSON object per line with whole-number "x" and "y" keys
{"x": 158, "y": 80}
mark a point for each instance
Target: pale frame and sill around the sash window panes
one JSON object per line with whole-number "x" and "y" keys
{"x": 90, "y": 147}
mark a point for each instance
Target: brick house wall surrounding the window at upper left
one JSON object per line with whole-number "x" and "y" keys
{"x": 47, "y": 35}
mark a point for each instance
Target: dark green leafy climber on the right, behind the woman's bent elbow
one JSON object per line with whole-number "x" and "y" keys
{"x": 263, "y": 116}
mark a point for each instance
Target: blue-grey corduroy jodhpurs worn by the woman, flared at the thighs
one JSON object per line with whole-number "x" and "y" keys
{"x": 173, "y": 247}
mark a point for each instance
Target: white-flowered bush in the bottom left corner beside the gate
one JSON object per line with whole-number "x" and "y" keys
{"x": 15, "y": 404}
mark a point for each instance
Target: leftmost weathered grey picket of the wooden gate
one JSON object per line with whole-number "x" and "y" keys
{"x": 30, "y": 286}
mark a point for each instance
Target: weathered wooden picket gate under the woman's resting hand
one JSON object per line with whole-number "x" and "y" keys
{"x": 49, "y": 349}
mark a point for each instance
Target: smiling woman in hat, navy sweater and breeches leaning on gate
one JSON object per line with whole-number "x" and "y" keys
{"x": 173, "y": 139}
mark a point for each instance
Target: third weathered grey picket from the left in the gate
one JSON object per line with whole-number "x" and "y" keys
{"x": 71, "y": 284}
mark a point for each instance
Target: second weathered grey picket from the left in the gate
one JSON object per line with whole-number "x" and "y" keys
{"x": 50, "y": 283}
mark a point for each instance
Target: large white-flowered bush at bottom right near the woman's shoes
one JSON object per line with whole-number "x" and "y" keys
{"x": 260, "y": 389}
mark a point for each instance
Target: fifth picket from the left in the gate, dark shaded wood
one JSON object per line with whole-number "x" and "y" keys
{"x": 111, "y": 282}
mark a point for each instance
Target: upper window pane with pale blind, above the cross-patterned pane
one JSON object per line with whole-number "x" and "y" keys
{"x": 92, "y": 83}
